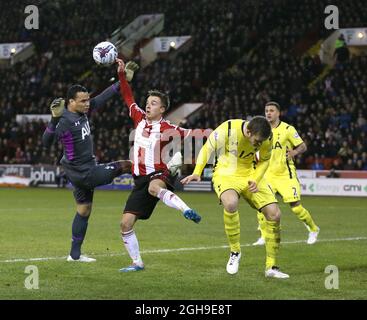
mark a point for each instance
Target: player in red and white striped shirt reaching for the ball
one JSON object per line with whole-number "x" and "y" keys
{"x": 153, "y": 180}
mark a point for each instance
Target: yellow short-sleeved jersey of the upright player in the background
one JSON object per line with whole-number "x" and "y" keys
{"x": 285, "y": 137}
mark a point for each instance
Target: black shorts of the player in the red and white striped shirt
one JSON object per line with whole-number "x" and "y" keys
{"x": 141, "y": 202}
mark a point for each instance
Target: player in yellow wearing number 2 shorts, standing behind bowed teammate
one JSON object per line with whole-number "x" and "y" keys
{"x": 281, "y": 174}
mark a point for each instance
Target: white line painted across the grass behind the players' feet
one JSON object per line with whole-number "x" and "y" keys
{"x": 177, "y": 250}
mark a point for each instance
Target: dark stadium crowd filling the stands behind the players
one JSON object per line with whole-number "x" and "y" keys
{"x": 243, "y": 53}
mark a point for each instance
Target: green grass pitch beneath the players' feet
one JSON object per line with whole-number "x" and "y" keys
{"x": 183, "y": 260}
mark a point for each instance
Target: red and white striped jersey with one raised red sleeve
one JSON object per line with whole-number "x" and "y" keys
{"x": 150, "y": 138}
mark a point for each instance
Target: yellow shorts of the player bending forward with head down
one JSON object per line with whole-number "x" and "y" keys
{"x": 239, "y": 184}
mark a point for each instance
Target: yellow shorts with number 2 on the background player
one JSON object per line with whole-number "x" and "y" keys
{"x": 289, "y": 189}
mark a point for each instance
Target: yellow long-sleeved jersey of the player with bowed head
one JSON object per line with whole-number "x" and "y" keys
{"x": 234, "y": 154}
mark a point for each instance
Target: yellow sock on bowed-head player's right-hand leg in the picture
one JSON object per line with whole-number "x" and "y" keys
{"x": 272, "y": 242}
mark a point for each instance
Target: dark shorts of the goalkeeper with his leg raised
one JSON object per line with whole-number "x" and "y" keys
{"x": 98, "y": 175}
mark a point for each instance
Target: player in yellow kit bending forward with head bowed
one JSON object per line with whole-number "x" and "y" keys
{"x": 234, "y": 145}
